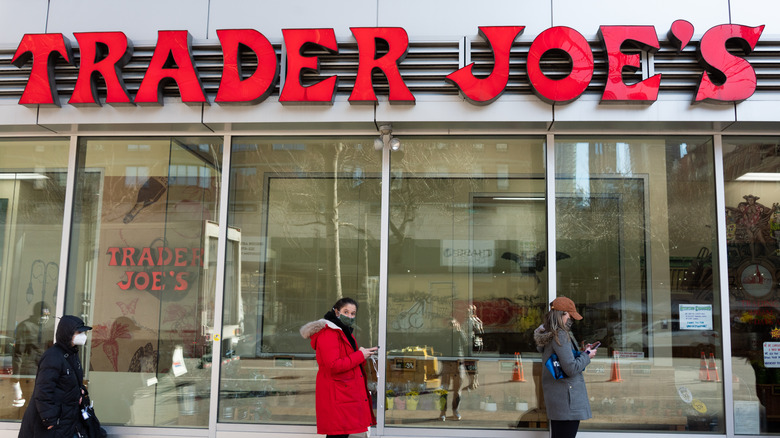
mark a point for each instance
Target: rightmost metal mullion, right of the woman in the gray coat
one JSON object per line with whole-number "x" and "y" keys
{"x": 723, "y": 281}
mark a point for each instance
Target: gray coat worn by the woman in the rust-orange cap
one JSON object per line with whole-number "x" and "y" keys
{"x": 567, "y": 398}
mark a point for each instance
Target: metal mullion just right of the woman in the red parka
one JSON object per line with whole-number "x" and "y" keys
{"x": 383, "y": 260}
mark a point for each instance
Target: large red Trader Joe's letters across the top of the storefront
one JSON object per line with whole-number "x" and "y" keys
{"x": 726, "y": 78}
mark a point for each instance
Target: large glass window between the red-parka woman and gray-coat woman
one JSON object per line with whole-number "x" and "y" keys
{"x": 466, "y": 283}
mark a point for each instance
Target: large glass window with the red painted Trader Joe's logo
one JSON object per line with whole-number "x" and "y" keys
{"x": 142, "y": 272}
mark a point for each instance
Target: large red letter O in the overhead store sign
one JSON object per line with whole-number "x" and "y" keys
{"x": 576, "y": 46}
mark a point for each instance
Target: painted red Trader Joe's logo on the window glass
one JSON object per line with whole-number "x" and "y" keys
{"x": 162, "y": 266}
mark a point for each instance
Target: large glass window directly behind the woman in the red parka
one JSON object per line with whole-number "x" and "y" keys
{"x": 304, "y": 232}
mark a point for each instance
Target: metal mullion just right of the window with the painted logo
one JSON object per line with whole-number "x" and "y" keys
{"x": 216, "y": 346}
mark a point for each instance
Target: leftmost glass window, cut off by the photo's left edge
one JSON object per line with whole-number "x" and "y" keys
{"x": 32, "y": 199}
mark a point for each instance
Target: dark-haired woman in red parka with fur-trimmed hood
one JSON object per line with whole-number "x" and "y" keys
{"x": 343, "y": 403}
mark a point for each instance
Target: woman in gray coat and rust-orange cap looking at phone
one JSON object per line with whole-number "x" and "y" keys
{"x": 566, "y": 399}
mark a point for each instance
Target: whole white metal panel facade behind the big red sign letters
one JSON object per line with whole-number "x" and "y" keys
{"x": 438, "y": 104}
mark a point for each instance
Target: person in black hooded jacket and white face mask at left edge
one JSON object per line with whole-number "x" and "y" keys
{"x": 55, "y": 410}
